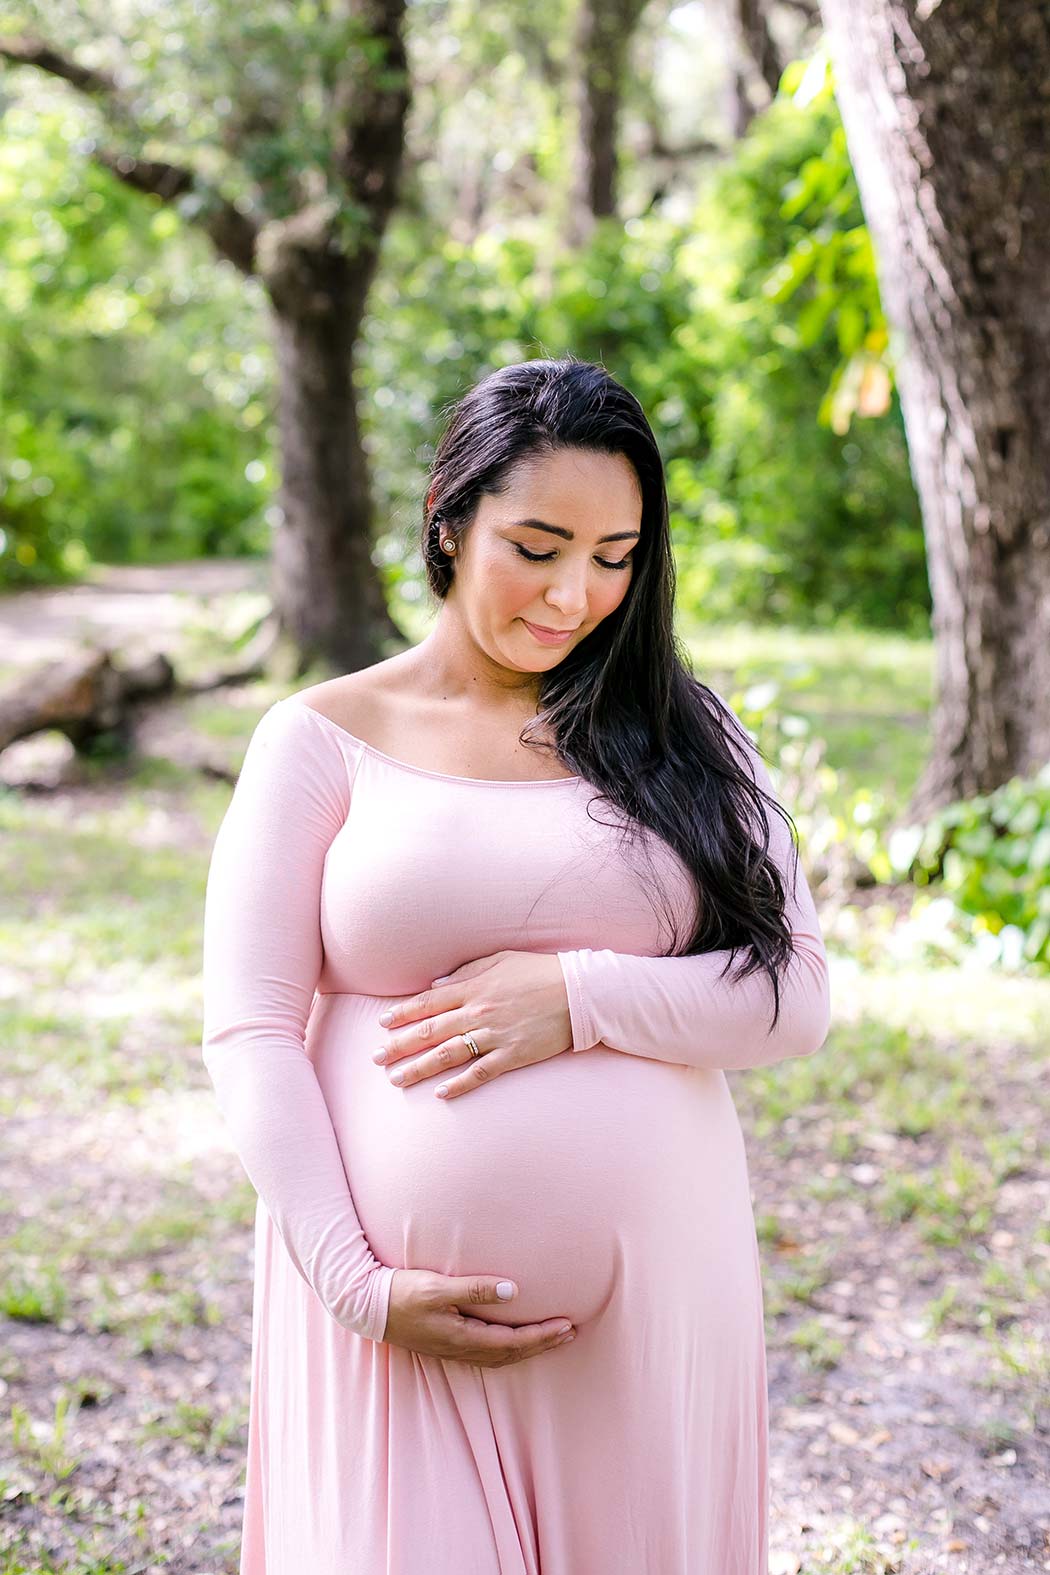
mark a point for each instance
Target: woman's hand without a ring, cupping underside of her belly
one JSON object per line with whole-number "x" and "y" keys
{"x": 426, "y": 1316}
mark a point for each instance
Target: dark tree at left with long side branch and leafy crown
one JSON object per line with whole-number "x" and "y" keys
{"x": 279, "y": 133}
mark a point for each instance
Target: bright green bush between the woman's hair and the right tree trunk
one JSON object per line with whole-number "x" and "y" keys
{"x": 796, "y": 511}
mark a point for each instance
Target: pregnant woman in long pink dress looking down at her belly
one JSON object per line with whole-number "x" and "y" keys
{"x": 486, "y": 927}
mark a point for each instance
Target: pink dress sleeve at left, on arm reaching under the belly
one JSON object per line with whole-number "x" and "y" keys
{"x": 262, "y": 960}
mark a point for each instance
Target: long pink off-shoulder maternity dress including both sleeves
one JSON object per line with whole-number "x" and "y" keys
{"x": 610, "y": 1182}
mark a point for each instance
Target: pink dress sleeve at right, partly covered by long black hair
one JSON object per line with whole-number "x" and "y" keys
{"x": 678, "y": 1009}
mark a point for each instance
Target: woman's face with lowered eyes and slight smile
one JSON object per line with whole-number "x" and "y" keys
{"x": 555, "y": 552}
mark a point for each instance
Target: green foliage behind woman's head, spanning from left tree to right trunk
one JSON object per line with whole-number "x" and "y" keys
{"x": 755, "y": 339}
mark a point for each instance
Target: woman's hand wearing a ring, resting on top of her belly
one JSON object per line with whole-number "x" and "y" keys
{"x": 512, "y": 1002}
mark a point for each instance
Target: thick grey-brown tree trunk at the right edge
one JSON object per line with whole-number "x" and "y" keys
{"x": 948, "y": 124}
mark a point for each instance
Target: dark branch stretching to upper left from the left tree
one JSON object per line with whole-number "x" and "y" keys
{"x": 232, "y": 234}
